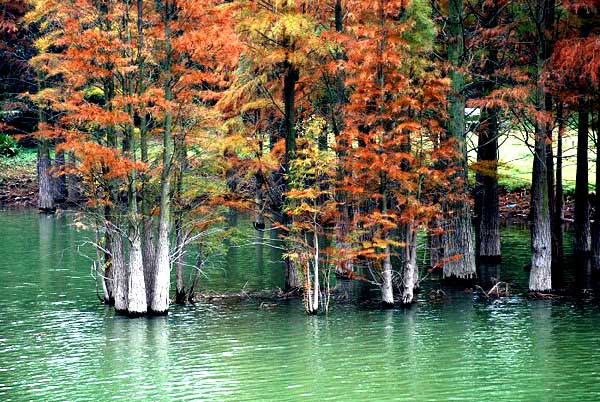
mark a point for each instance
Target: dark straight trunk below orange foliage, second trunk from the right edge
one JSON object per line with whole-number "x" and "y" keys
{"x": 581, "y": 236}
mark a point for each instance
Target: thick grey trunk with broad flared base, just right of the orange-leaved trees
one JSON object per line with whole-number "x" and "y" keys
{"x": 458, "y": 238}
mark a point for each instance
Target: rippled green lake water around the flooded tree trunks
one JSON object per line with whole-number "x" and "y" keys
{"x": 58, "y": 343}
